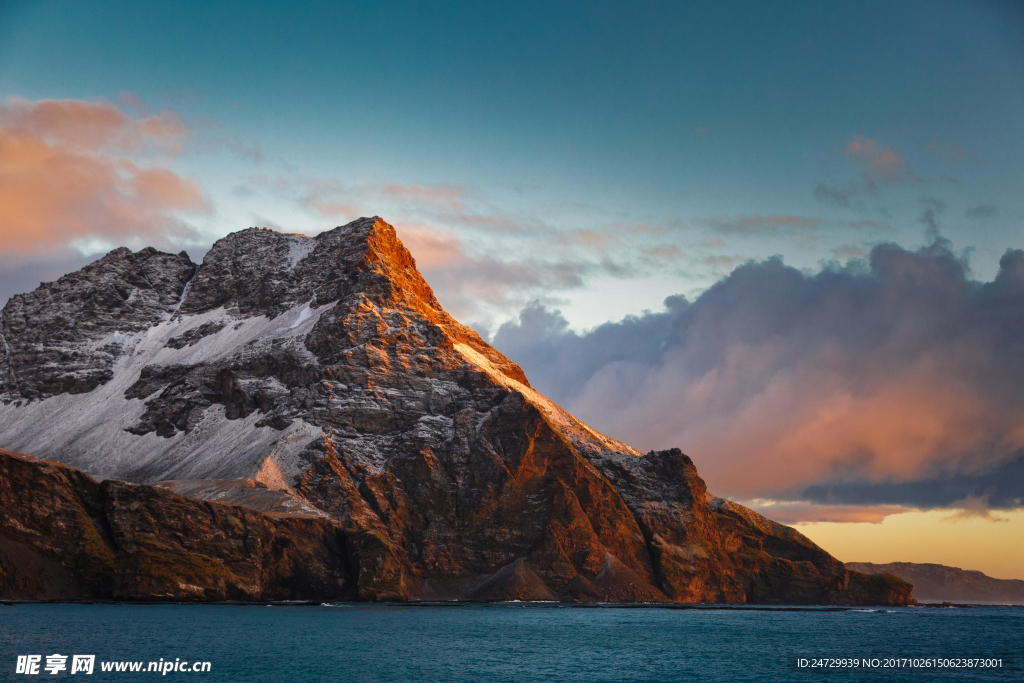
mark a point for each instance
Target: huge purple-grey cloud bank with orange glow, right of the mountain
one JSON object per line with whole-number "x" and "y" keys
{"x": 895, "y": 381}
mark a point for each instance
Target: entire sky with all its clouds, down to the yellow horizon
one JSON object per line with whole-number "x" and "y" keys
{"x": 783, "y": 237}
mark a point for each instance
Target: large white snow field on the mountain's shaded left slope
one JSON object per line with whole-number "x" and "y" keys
{"x": 88, "y": 431}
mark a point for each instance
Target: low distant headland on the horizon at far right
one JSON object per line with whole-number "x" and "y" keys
{"x": 938, "y": 583}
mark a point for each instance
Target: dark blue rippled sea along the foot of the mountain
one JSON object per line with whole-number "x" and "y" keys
{"x": 509, "y": 643}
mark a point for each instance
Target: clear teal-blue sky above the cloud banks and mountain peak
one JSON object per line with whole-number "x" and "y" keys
{"x": 724, "y": 129}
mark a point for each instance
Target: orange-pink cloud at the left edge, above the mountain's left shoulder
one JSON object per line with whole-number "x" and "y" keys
{"x": 72, "y": 170}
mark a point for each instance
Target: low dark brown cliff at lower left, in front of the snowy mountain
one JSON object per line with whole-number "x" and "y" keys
{"x": 65, "y": 536}
